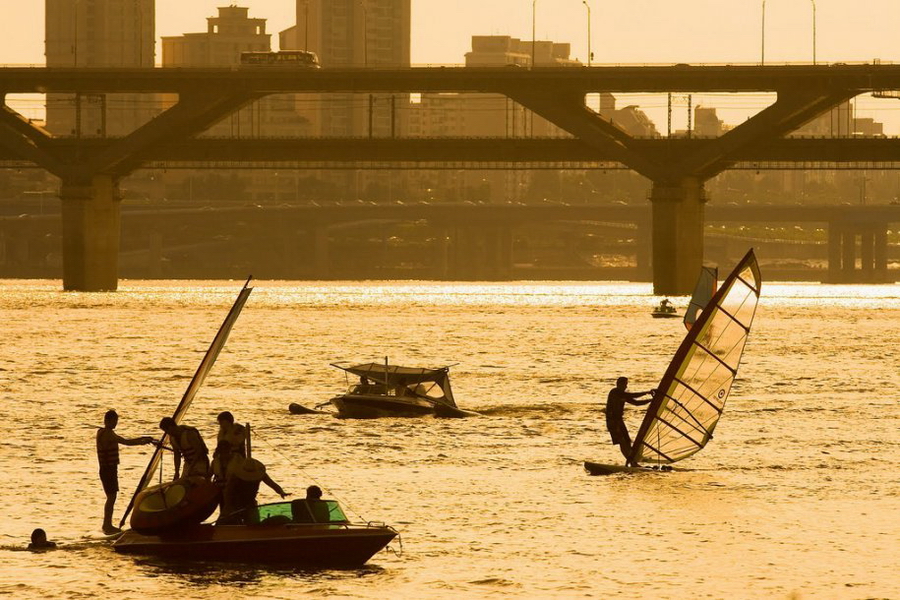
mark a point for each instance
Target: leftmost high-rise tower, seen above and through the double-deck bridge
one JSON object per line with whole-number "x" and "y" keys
{"x": 99, "y": 33}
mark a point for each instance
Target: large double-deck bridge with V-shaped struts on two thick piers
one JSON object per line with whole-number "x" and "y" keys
{"x": 90, "y": 169}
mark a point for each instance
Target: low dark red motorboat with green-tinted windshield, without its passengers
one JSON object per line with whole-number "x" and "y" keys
{"x": 285, "y": 533}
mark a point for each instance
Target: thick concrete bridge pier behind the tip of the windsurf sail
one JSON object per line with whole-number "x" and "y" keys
{"x": 678, "y": 208}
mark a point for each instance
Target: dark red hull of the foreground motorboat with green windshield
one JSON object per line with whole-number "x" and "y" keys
{"x": 301, "y": 545}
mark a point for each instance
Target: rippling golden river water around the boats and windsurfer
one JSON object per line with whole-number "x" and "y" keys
{"x": 797, "y": 497}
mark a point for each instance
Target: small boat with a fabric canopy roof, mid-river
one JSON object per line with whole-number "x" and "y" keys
{"x": 385, "y": 390}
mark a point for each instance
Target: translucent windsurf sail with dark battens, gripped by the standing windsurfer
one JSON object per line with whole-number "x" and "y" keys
{"x": 691, "y": 396}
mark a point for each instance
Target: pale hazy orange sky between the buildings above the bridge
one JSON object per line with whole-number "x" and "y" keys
{"x": 636, "y": 31}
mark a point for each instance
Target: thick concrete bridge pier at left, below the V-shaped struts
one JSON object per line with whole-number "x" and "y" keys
{"x": 91, "y": 222}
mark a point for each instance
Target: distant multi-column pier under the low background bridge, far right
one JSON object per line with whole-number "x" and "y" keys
{"x": 843, "y": 241}
